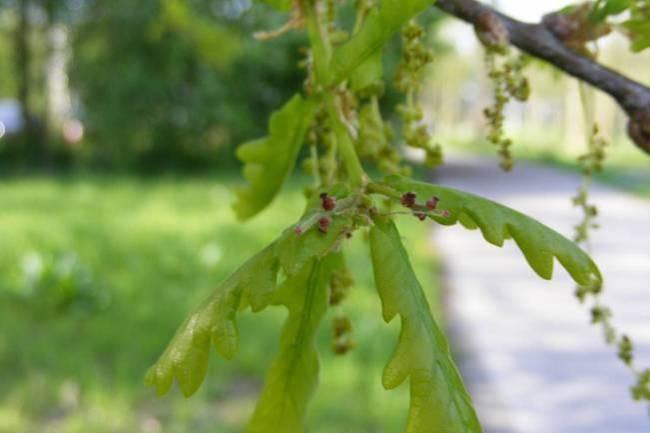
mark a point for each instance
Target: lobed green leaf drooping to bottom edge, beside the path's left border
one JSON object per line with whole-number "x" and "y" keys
{"x": 439, "y": 400}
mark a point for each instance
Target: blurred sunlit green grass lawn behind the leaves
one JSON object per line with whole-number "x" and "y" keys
{"x": 96, "y": 274}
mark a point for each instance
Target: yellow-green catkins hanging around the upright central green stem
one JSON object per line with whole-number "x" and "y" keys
{"x": 361, "y": 110}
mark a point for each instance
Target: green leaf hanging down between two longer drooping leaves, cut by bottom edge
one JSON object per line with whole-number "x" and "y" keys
{"x": 293, "y": 377}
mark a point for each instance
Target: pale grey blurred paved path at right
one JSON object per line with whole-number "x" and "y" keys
{"x": 536, "y": 365}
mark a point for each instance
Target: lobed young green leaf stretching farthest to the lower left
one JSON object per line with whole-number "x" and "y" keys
{"x": 254, "y": 285}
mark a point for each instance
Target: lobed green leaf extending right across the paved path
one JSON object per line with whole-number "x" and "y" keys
{"x": 538, "y": 243}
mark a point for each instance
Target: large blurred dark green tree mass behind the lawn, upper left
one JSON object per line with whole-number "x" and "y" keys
{"x": 154, "y": 80}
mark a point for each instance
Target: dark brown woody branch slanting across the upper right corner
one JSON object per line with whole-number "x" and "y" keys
{"x": 538, "y": 41}
